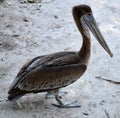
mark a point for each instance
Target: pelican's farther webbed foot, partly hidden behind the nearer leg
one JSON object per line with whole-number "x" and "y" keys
{"x": 51, "y": 94}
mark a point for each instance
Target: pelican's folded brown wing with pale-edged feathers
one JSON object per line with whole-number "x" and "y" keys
{"x": 48, "y": 72}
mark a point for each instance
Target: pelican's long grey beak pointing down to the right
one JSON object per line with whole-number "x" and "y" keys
{"x": 91, "y": 23}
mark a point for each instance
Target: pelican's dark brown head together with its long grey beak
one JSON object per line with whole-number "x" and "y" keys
{"x": 87, "y": 21}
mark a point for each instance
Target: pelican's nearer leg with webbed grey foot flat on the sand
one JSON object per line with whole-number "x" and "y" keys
{"x": 64, "y": 105}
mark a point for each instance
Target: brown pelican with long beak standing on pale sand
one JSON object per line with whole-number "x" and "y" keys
{"x": 49, "y": 73}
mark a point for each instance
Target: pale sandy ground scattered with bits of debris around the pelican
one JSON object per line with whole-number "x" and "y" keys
{"x": 28, "y": 30}
